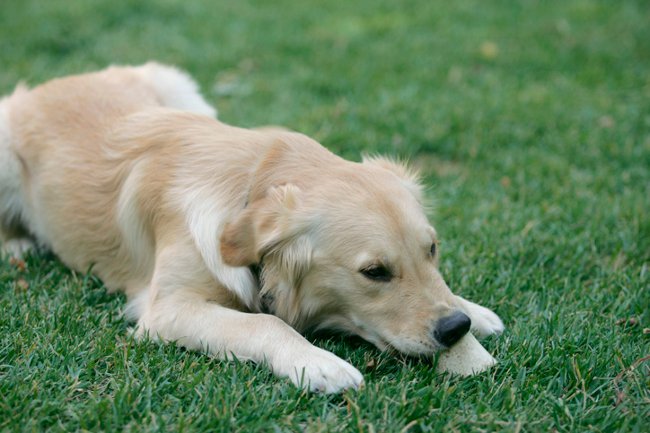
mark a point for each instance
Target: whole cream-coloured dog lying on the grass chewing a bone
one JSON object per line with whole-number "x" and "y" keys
{"x": 127, "y": 173}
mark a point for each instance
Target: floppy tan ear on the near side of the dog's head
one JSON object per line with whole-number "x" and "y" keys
{"x": 264, "y": 226}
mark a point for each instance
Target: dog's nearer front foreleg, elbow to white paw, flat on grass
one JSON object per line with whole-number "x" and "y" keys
{"x": 195, "y": 323}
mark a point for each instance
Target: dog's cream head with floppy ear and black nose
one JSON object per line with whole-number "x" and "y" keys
{"x": 351, "y": 250}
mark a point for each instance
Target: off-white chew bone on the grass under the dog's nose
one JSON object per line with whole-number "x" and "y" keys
{"x": 467, "y": 357}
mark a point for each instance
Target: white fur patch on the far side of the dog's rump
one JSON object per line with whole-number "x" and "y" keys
{"x": 175, "y": 88}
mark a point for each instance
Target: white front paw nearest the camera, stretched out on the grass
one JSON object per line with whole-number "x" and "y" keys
{"x": 319, "y": 371}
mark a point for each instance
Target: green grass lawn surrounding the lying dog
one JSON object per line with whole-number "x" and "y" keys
{"x": 531, "y": 123}
